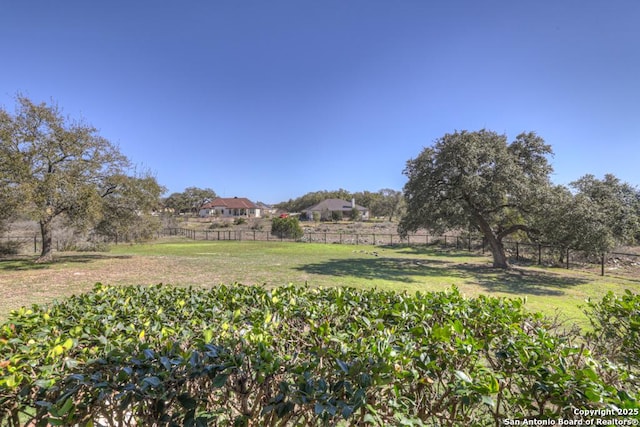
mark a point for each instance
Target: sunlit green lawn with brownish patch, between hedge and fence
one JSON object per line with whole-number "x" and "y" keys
{"x": 550, "y": 290}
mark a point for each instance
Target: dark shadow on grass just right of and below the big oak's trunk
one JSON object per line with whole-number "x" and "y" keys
{"x": 521, "y": 280}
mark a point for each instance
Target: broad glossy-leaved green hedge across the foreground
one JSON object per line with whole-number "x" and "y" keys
{"x": 236, "y": 355}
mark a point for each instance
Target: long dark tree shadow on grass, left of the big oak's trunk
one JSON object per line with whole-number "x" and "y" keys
{"x": 405, "y": 270}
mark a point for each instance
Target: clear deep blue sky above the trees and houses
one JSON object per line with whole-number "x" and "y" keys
{"x": 273, "y": 99}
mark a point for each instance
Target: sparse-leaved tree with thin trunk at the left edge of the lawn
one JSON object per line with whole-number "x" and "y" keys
{"x": 61, "y": 167}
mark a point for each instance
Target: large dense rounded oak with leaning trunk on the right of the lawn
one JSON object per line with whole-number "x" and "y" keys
{"x": 478, "y": 179}
